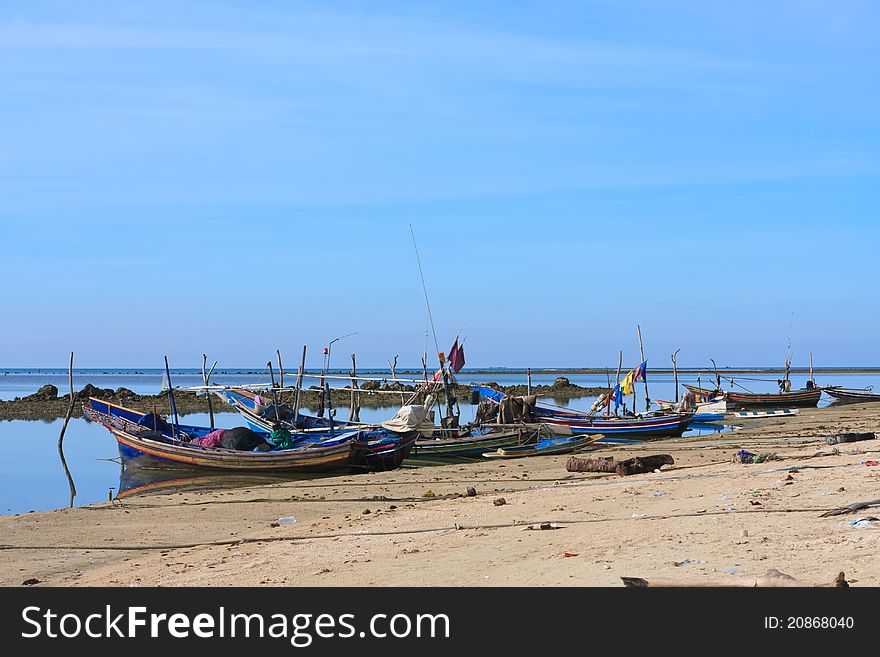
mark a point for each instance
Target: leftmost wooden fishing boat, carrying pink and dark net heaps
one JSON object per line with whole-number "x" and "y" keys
{"x": 145, "y": 439}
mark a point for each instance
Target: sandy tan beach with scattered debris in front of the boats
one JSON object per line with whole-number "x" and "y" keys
{"x": 705, "y": 517}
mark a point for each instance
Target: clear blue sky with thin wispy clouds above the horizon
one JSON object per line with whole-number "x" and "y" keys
{"x": 237, "y": 177}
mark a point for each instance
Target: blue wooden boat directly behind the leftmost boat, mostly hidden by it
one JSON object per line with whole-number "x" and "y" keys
{"x": 384, "y": 449}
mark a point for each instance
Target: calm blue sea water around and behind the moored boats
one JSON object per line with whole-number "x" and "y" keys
{"x": 32, "y": 477}
